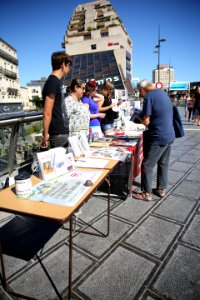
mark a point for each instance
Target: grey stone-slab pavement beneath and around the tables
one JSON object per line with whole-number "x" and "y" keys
{"x": 152, "y": 252}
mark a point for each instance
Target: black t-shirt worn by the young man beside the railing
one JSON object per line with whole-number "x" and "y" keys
{"x": 53, "y": 87}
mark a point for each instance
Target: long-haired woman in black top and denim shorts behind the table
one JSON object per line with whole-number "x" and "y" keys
{"x": 107, "y": 124}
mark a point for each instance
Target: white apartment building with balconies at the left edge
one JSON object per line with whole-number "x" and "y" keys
{"x": 10, "y": 99}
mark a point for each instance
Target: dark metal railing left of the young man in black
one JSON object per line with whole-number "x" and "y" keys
{"x": 13, "y": 133}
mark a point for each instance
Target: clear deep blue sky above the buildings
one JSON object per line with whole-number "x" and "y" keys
{"x": 37, "y": 28}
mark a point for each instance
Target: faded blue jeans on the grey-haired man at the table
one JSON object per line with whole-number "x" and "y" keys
{"x": 155, "y": 155}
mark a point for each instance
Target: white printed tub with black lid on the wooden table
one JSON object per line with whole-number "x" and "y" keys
{"x": 23, "y": 185}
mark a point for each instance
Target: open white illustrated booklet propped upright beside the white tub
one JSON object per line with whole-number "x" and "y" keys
{"x": 55, "y": 162}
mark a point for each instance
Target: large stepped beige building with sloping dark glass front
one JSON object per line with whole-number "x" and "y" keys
{"x": 99, "y": 45}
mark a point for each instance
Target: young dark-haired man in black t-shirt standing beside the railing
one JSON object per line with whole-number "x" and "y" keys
{"x": 54, "y": 129}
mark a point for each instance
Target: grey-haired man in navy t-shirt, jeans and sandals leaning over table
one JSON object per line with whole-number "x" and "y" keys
{"x": 157, "y": 115}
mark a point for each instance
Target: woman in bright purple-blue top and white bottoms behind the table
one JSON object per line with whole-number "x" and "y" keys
{"x": 95, "y": 115}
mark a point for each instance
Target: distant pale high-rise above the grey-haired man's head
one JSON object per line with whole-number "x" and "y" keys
{"x": 166, "y": 75}
